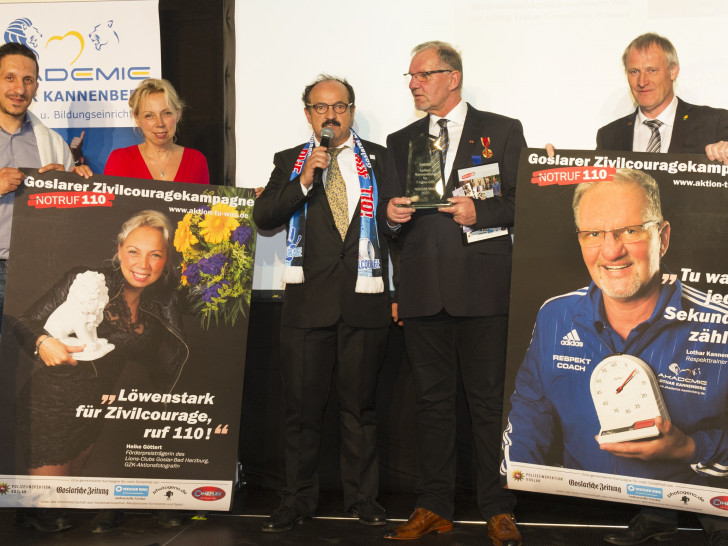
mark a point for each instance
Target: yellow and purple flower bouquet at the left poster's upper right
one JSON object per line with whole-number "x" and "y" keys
{"x": 218, "y": 249}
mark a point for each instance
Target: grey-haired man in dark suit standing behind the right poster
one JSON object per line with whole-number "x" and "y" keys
{"x": 663, "y": 123}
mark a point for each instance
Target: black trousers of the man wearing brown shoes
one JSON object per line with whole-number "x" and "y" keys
{"x": 437, "y": 346}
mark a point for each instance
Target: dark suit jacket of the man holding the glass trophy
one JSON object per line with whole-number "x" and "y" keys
{"x": 437, "y": 269}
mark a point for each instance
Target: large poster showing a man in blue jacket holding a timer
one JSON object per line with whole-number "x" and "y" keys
{"x": 617, "y": 375}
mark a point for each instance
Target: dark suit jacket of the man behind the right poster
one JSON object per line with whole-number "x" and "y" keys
{"x": 694, "y": 128}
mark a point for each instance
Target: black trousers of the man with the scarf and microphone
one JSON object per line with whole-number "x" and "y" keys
{"x": 309, "y": 357}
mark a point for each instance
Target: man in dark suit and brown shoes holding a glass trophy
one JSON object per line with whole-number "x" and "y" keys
{"x": 453, "y": 296}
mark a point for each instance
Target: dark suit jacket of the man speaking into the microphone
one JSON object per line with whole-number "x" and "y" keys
{"x": 330, "y": 265}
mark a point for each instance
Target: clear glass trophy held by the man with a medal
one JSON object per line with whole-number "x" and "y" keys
{"x": 425, "y": 174}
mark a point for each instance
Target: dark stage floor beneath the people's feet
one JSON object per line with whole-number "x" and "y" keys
{"x": 544, "y": 520}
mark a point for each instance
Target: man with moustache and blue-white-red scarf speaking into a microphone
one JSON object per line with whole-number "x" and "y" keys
{"x": 336, "y": 310}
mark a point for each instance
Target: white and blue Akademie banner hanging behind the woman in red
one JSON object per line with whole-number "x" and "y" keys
{"x": 92, "y": 55}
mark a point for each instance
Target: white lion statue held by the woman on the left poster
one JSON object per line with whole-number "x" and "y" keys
{"x": 81, "y": 314}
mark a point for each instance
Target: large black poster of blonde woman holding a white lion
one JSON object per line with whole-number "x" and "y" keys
{"x": 150, "y": 420}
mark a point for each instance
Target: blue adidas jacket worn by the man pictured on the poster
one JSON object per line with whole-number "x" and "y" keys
{"x": 552, "y": 404}
